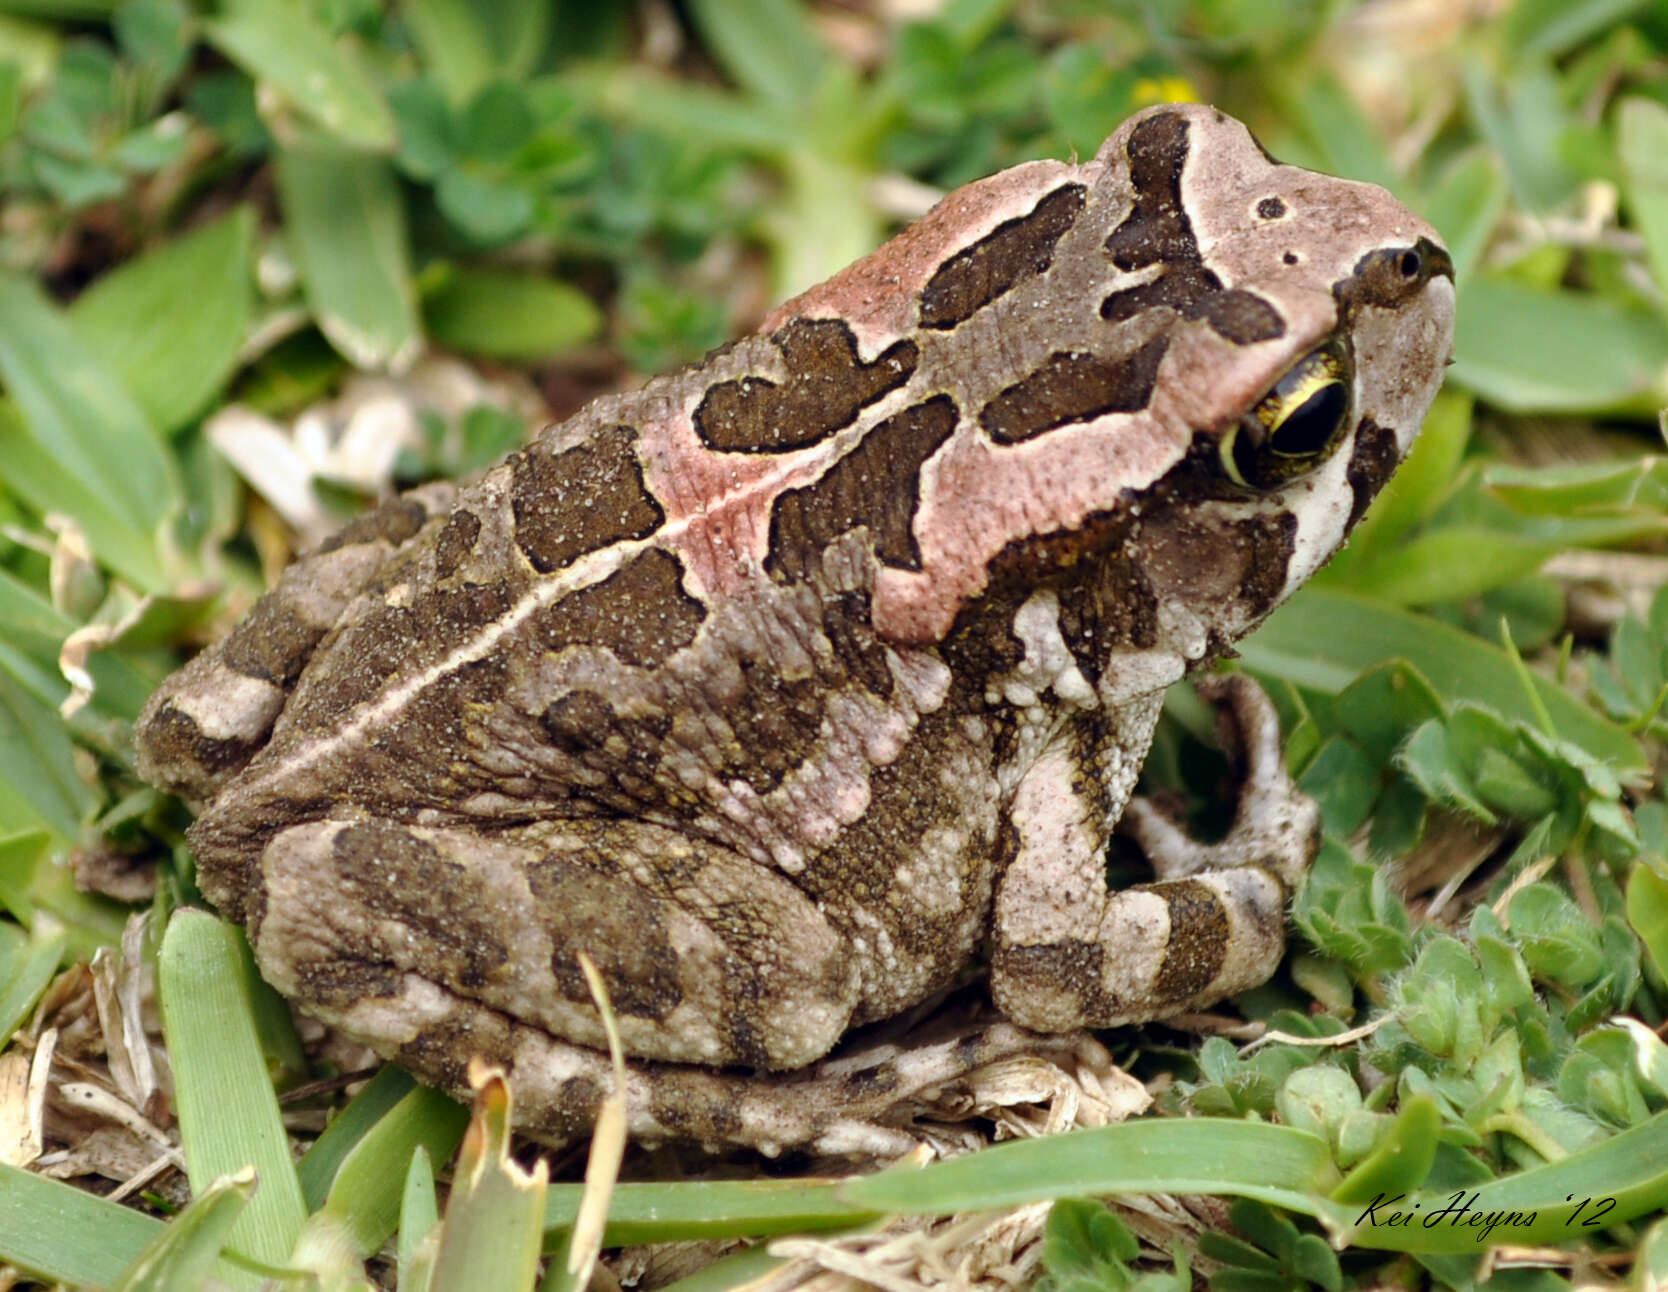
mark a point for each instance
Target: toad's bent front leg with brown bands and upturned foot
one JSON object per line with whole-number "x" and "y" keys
{"x": 1072, "y": 954}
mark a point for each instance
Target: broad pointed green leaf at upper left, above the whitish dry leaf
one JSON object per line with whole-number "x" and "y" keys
{"x": 201, "y": 284}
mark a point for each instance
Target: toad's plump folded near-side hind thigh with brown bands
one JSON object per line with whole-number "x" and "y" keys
{"x": 406, "y": 934}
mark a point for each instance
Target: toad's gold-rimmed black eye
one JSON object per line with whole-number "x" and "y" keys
{"x": 1295, "y": 426}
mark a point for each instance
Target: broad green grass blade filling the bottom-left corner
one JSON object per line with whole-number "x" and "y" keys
{"x": 64, "y": 1234}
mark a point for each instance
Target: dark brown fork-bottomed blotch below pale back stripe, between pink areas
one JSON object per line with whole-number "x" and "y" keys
{"x": 878, "y": 484}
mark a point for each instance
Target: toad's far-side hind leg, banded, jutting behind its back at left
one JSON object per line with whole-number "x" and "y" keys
{"x": 208, "y": 721}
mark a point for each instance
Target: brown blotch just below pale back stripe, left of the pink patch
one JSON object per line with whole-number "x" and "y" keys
{"x": 640, "y": 613}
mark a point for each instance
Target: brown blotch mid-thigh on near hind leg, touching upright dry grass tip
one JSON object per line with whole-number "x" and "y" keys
{"x": 618, "y": 926}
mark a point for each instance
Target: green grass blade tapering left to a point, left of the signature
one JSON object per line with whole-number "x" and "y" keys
{"x": 1275, "y": 1164}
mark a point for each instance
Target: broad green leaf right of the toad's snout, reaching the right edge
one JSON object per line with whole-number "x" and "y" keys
{"x": 1559, "y": 353}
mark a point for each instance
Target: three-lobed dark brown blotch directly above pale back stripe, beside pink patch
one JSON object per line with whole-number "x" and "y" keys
{"x": 826, "y": 388}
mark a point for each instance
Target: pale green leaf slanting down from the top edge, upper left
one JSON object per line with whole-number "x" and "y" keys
{"x": 283, "y": 44}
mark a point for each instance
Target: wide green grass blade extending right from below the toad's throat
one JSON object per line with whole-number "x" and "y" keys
{"x": 1325, "y": 639}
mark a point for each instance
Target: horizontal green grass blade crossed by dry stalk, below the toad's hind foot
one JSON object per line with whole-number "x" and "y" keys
{"x": 713, "y": 1209}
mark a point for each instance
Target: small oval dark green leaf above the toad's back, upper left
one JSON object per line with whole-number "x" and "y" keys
{"x": 510, "y": 316}
